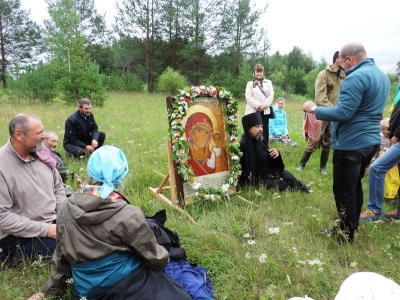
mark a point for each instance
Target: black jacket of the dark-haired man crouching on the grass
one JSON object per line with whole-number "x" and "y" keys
{"x": 80, "y": 130}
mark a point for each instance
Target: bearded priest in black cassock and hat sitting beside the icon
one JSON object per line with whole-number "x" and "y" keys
{"x": 262, "y": 165}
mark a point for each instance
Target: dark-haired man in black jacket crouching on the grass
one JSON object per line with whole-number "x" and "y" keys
{"x": 81, "y": 131}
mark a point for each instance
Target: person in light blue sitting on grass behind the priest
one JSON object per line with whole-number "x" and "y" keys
{"x": 278, "y": 126}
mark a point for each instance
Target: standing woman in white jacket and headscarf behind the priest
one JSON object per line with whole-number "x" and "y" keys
{"x": 259, "y": 97}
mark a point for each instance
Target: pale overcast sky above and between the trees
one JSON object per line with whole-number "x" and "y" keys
{"x": 318, "y": 27}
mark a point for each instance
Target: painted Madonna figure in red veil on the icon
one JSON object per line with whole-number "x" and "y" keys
{"x": 199, "y": 133}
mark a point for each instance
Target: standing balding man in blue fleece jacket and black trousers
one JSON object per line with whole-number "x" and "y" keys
{"x": 355, "y": 130}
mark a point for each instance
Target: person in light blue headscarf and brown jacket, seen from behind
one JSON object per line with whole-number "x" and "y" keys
{"x": 105, "y": 244}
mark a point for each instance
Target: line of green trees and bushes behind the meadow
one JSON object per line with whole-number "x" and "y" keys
{"x": 154, "y": 45}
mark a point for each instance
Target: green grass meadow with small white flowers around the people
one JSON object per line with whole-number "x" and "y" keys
{"x": 270, "y": 249}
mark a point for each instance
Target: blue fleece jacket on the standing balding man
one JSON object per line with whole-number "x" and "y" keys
{"x": 356, "y": 116}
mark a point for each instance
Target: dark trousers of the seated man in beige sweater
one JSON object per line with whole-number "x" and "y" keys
{"x": 16, "y": 249}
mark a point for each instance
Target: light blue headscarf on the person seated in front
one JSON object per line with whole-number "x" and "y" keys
{"x": 107, "y": 165}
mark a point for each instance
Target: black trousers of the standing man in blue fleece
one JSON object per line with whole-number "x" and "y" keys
{"x": 348, "y": 170}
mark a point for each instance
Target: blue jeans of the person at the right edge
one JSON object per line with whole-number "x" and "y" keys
{"x": 377, "y": 173}
